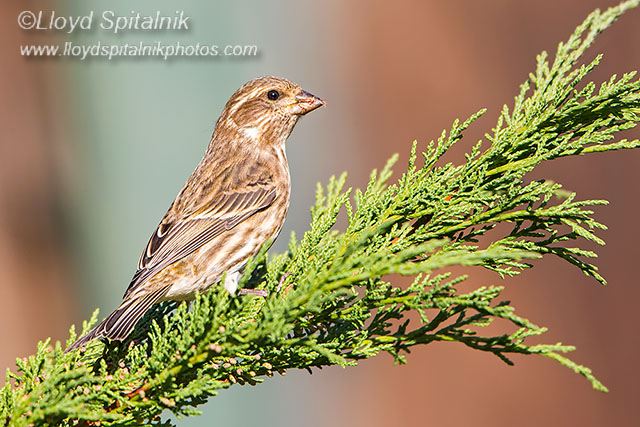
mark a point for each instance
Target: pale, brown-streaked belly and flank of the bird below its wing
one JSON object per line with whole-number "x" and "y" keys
{"x": 228, "y": 252}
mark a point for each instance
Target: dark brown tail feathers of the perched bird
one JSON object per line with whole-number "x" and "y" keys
{"x": 119, "y": 324}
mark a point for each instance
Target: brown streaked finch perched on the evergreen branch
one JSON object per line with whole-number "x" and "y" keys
{"x": 234, "y": 202}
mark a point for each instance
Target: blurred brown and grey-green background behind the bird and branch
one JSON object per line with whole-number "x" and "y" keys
{"x": 93, "y": 152}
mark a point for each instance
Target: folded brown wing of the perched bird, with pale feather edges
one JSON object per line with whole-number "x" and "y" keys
{"x": 173, "y": 240}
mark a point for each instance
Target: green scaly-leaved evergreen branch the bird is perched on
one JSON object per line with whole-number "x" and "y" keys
{"x": 331, "y": 301}
